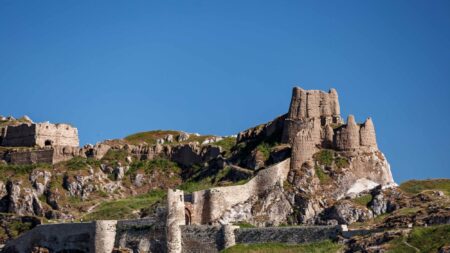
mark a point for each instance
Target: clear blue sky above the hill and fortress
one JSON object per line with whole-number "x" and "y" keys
{"x": 113, "y": 68}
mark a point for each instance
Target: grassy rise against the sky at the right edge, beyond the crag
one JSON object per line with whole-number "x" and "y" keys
{"x": 417, "y": 186}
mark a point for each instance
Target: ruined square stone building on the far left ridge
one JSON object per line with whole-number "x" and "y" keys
{"x": 39, "y": 134}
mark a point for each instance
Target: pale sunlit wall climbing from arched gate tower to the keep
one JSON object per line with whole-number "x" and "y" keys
{"x": 209, "y": 205}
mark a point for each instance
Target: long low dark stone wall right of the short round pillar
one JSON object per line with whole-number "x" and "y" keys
{"x": 293, "y": 235}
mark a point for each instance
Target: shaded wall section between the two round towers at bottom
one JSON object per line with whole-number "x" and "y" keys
{"x": 141, "y": 235}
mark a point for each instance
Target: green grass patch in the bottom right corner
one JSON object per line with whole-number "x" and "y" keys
{"x": 425, "y": 239}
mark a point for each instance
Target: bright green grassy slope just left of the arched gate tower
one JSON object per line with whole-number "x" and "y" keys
{"x": 125, "y": 208}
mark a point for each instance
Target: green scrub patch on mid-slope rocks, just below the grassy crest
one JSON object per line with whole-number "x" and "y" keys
{"x": 149, "y": 166}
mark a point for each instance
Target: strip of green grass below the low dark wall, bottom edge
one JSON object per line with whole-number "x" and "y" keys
{"x": 317, "y": 247}
